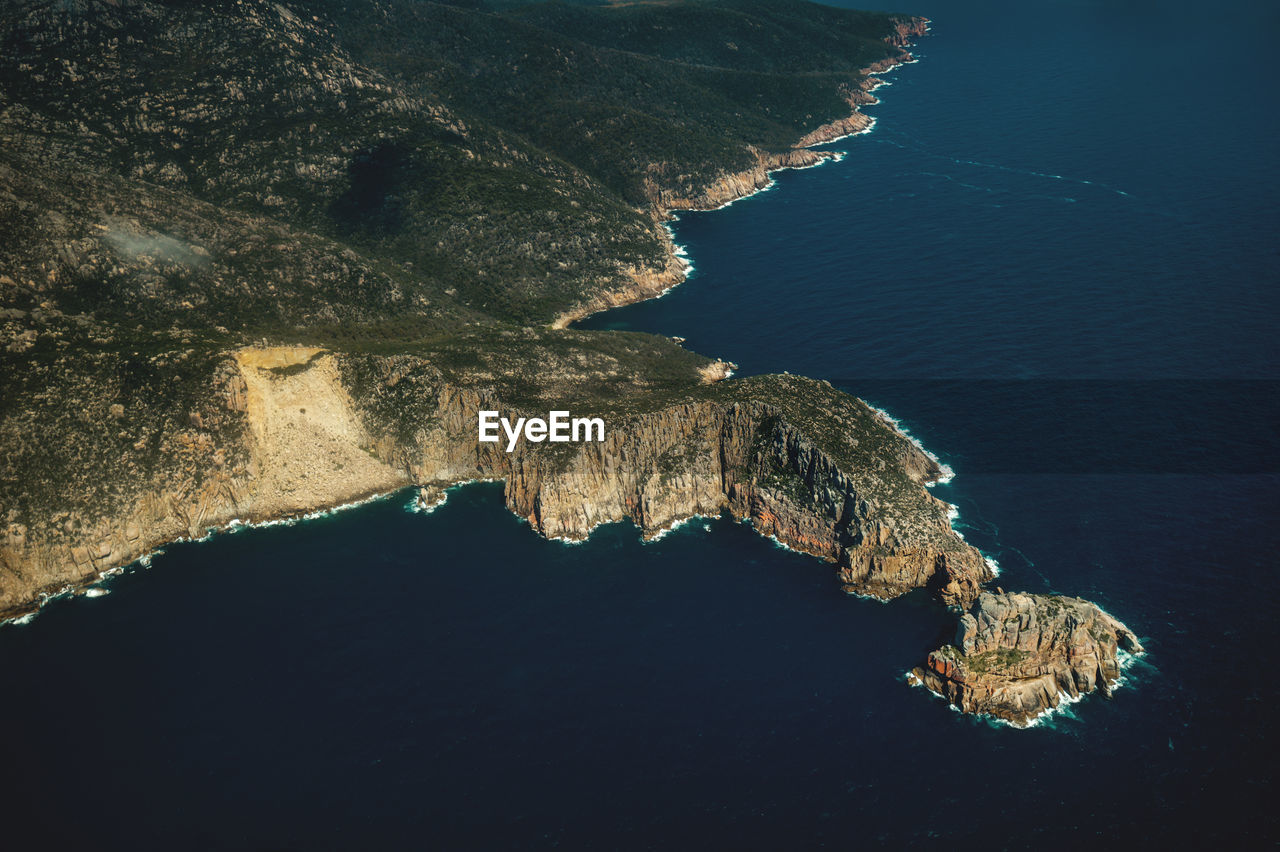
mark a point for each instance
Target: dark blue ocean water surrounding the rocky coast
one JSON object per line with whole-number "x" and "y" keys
{"x": 1055, "y": 259}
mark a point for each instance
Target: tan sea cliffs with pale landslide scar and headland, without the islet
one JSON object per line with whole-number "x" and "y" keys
{"x": 309, "y": 429}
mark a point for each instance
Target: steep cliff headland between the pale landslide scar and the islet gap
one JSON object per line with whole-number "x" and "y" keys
{"x": 739, "y": 451}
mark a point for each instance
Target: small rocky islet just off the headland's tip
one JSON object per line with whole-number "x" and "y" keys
{"x": 1017, "y": 656}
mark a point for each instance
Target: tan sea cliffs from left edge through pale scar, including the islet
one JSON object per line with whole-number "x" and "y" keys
{"x": 295, "y": 429}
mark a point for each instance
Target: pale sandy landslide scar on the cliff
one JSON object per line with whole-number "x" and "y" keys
{"x": 309, "y": 447}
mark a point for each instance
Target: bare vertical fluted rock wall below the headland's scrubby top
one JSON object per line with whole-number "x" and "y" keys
{"x": 748, "y": 460}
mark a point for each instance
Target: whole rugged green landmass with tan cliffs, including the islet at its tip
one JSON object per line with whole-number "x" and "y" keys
{"x": 262, "y": 259}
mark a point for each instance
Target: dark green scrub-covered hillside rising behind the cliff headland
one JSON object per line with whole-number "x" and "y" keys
{"x": 272, "y": 168}
